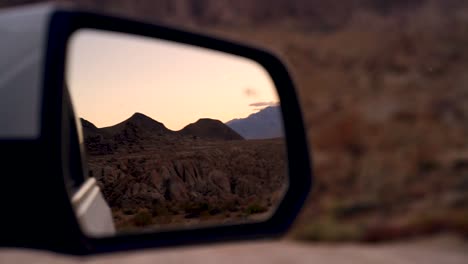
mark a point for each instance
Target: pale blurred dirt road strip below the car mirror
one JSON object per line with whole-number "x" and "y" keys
{"x": 442, "y": 249}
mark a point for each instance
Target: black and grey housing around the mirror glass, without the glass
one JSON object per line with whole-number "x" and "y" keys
{"x": 37, "y": 120}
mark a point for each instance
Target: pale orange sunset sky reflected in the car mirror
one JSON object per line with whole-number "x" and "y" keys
{"x": 113, "y": 75}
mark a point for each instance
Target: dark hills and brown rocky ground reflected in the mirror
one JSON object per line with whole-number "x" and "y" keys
{"x": 152, "y": 176}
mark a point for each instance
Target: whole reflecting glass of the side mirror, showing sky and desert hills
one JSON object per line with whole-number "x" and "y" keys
{"x": 175, "y": 135}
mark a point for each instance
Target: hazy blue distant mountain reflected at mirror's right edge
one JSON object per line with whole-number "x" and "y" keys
{"x": 267, "y": 123}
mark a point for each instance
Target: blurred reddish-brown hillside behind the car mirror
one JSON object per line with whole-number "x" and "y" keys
{"x": 383, "y": 87}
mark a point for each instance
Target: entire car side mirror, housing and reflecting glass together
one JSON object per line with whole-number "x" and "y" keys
{"x": 120, "y": 135}
